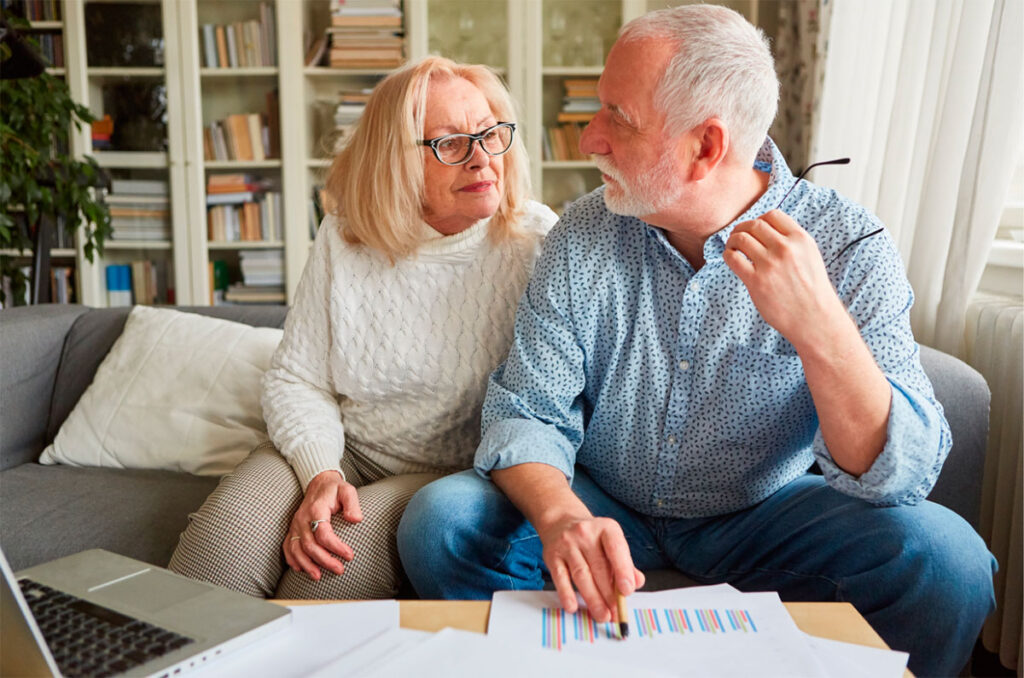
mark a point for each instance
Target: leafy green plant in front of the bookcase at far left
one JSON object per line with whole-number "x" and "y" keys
{"x": 36, "y": 178}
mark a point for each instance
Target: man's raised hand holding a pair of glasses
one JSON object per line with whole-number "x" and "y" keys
{"x": 785, "y": 274}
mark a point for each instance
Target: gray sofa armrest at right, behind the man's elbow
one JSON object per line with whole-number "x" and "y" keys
{"x": 965, "y": 398}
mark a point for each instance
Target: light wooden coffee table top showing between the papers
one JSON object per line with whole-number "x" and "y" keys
{"x": 837, "y": 621}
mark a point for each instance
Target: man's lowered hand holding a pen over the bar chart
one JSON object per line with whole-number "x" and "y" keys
{"x": 592, "y": 556}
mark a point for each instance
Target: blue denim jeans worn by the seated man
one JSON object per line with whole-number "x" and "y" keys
{"x": 920, "y": 575}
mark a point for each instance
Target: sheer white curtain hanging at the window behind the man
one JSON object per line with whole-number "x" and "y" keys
{"x": 927, "y": 99}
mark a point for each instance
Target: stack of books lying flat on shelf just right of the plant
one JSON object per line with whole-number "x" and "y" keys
{"x": 140, "y": 210}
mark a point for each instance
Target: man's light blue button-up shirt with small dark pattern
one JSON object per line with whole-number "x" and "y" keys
{"x": 668, "y": 387}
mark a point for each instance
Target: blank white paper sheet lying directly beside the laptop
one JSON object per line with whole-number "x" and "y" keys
{"x": 318, "y": 635}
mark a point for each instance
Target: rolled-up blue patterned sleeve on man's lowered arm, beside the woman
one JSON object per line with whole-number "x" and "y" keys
{"x": 534, "y": 408}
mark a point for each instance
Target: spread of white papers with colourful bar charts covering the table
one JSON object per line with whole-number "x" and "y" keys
{"x": 701, "y": 631}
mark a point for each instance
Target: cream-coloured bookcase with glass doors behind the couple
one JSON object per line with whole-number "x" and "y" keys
{"x": 535, "y": 46}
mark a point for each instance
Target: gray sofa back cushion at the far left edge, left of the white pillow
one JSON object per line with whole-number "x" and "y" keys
{"x": 31, "y": 342}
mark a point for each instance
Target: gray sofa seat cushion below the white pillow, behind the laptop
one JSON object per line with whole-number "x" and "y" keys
{"x": 54, "y": 512}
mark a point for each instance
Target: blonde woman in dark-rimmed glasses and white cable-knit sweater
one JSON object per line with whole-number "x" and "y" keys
{"x": 404, "y": 310}
